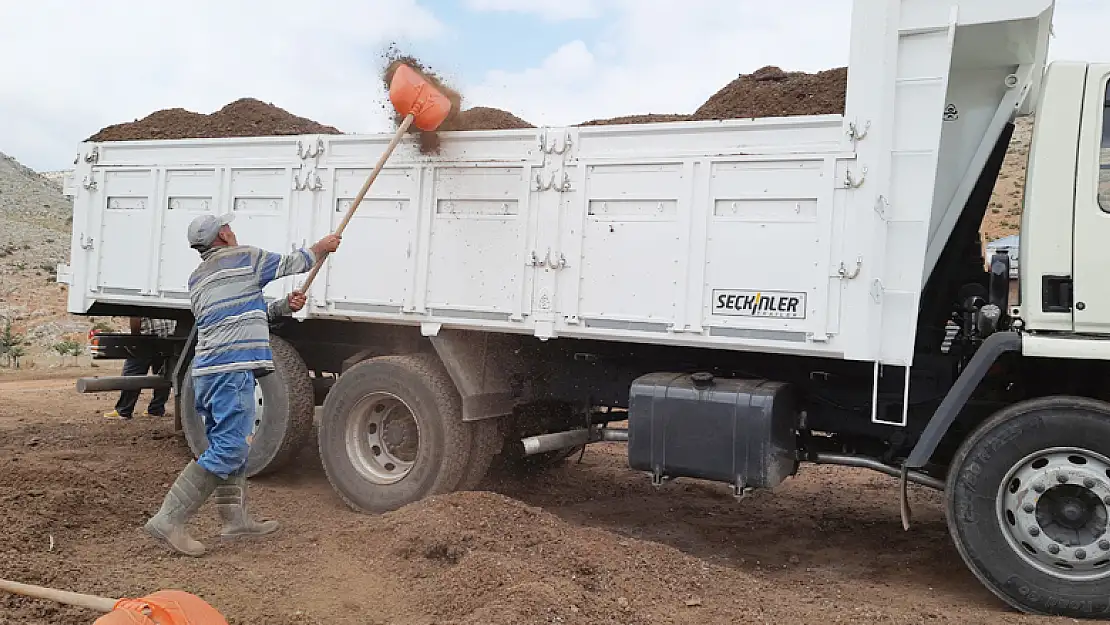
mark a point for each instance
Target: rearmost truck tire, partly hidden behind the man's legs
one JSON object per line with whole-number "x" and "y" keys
{"x": 285, "y": 419}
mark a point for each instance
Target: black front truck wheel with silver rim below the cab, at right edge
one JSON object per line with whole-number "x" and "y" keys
{"x": 1028, "y": 497}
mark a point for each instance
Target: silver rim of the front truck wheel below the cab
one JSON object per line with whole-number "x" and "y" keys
{"x": 1053, "y": 508}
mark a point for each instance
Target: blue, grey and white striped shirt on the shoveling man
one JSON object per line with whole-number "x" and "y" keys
{"x": 233, "y": 319}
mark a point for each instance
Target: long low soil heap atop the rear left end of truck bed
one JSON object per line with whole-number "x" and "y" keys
{"x": 246, "y": 117}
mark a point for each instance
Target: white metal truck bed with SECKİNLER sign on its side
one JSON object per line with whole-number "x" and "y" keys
{"x": 802, "y": 236}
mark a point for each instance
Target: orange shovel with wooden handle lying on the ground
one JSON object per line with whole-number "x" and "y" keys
{"x": 164, "y": 608}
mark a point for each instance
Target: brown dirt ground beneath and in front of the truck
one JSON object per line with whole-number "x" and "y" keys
{"x": 588, "y": 543}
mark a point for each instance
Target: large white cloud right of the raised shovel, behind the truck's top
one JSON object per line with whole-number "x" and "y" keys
{"x": 662, "y": 57}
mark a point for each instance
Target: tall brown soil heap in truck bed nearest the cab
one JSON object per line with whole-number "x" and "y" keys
{"x": 773, "y": 93}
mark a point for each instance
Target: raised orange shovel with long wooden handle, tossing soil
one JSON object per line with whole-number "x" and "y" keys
{"x": 422, "y": 105}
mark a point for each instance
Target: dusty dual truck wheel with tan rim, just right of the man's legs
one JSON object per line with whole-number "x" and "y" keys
{"x": 392, "y": 434}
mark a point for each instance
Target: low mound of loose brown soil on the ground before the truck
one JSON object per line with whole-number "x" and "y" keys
{"x": 481, "y": 558}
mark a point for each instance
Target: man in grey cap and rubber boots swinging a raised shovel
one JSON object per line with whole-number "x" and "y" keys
{"x": 233, "y": 351}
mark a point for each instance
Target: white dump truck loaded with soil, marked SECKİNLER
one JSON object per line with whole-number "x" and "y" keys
{"x": 748, "y": 295}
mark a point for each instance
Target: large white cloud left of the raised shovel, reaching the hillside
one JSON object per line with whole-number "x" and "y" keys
{"x": 70, "y": 72}
